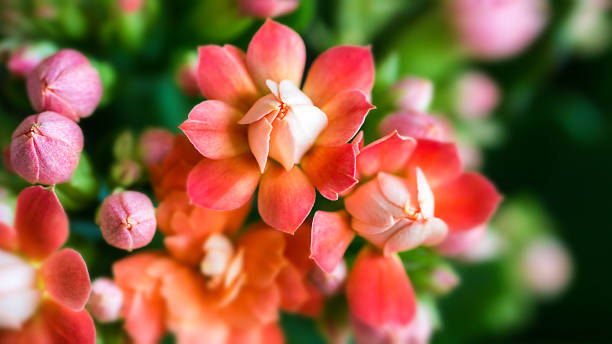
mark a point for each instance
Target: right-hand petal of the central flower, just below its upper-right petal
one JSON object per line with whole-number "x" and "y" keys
{"x": 345, "y": 115}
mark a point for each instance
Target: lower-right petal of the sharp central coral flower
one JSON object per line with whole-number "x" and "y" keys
{"x": 332, "y": 169}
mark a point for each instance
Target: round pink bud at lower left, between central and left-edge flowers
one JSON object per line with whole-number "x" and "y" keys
{"x": 127, "y": 220}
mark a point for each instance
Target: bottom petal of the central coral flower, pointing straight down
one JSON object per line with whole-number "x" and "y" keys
{"x": 285, "y": 198}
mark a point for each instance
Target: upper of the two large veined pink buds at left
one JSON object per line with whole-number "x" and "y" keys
{"x": 66, "y": 83}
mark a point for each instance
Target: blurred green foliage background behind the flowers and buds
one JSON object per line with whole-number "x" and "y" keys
{"x": 547, "y": 144}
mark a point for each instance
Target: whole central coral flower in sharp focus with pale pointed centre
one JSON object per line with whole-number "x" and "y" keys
{"x": 259, "y": 128}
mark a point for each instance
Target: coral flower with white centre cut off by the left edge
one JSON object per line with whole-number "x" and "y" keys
{"x": 44, "y": 290}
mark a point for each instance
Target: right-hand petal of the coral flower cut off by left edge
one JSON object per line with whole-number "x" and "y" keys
{"x": 66, "y": 278}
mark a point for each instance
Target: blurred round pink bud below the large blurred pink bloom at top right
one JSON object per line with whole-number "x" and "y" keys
{"x": 477, "y": 95}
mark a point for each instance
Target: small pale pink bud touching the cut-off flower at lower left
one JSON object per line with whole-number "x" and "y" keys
{"x": 106, "y": 300}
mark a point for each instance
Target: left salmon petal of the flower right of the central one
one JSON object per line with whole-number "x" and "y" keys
{"x": 331, "y": 236}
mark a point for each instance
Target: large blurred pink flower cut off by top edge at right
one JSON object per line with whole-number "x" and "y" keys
{"x": 495, "y": 29}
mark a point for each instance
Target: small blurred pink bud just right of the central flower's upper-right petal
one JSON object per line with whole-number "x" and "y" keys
{"x": 413, "y": 93}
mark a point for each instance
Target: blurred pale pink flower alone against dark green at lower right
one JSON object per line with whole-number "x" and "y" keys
{"x": 546, "y": 267}
